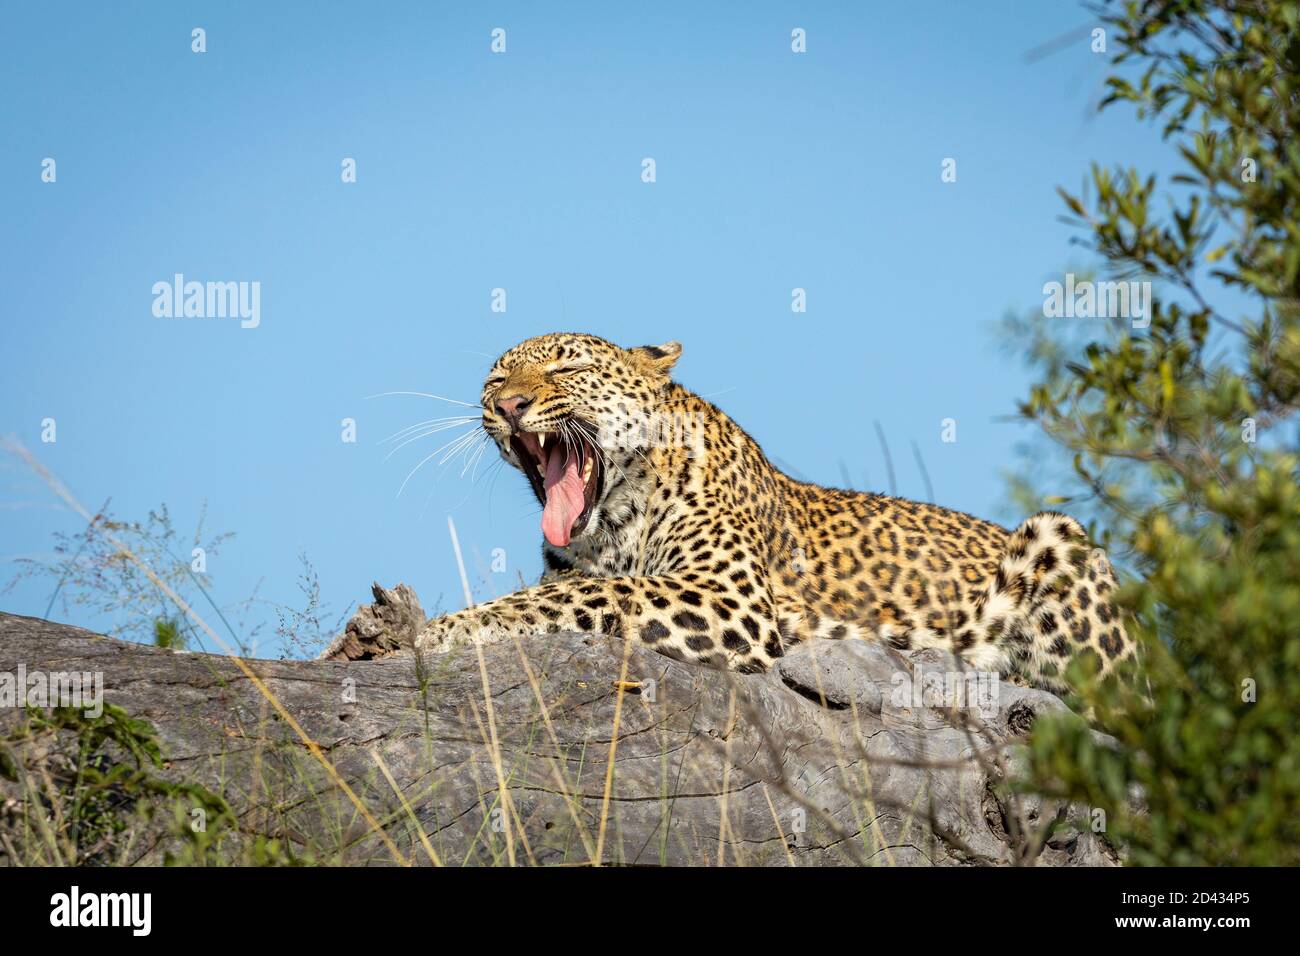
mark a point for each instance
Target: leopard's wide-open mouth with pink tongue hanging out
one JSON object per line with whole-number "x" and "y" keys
{"x": 567, "y": 477}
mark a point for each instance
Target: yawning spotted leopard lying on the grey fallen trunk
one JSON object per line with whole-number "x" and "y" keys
{"x": 664, "y": 522}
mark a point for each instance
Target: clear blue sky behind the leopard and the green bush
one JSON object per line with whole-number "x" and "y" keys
{"x": 521, "y": 171}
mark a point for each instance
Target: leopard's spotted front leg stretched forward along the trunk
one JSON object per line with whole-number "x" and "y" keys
{"x": 726, "y": 622}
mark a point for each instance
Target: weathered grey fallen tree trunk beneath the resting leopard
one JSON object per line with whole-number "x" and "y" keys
{"x": 830, "y": 759}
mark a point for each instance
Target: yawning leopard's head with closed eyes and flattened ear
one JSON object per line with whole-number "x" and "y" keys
{"x": 566, "y": 409}
